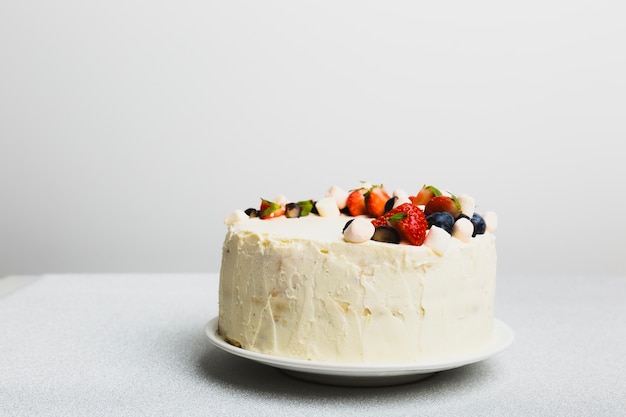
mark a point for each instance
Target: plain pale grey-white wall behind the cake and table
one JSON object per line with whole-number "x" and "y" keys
{"x": 129, "y": 129}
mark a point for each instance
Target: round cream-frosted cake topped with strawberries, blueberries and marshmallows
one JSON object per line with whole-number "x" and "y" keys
{"x": 360, "y": 276}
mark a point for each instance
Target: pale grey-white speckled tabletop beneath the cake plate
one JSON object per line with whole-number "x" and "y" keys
{"x": 133, "y": 345}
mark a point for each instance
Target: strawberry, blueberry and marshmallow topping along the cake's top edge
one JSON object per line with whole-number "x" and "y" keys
{"x": 429, "y": 217}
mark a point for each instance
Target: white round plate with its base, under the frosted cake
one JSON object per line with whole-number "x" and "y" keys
{"x": 358, "y": 374}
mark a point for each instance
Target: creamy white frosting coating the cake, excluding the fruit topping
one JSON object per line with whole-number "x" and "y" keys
{"x": 296, "y": 288}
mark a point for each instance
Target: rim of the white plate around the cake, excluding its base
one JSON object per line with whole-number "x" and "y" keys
{"x": 503, "y": 337}
